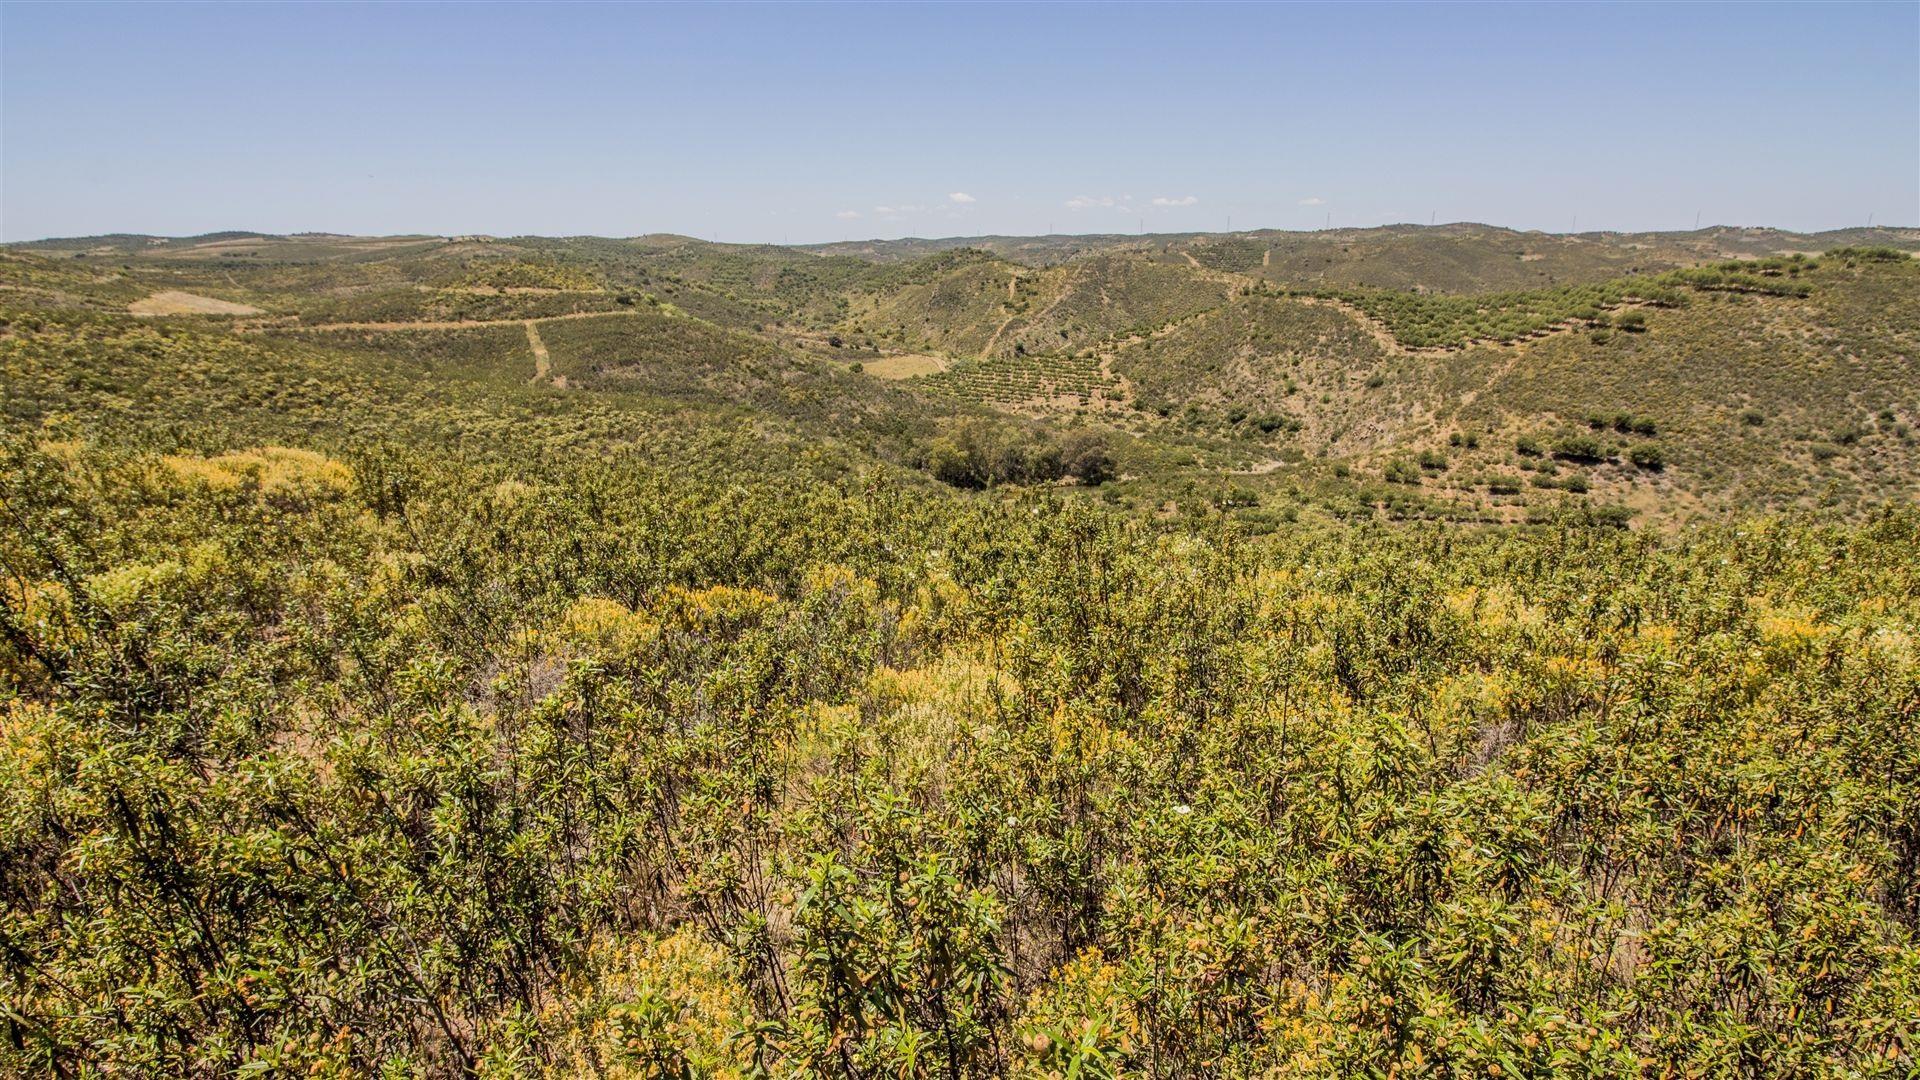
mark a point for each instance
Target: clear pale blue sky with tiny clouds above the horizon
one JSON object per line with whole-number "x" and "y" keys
{"x": 821, "y": 122}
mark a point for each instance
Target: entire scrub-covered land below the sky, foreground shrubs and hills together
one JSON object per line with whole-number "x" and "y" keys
{"x": 1408, "y": 652}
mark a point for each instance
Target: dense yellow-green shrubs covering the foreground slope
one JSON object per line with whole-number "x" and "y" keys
{"x": 398, "y": 766}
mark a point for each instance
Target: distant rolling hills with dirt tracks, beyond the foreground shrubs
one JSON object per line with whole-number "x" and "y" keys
{"x": 1454, "y": 372}
